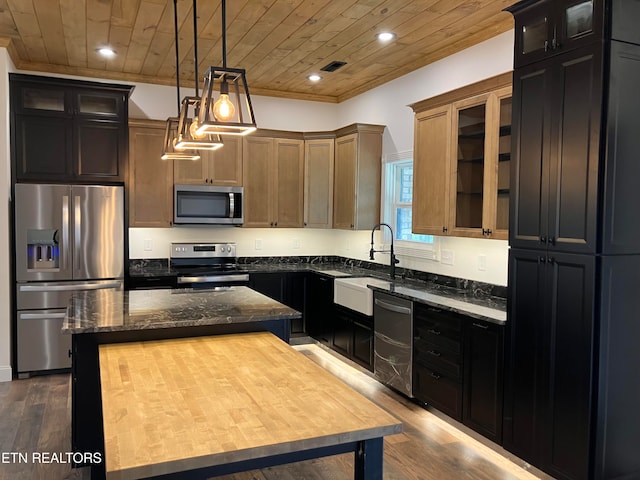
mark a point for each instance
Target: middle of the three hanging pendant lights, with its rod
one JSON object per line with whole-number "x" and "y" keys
{"x": 189, "y": 135}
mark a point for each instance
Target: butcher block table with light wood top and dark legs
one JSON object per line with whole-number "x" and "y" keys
{"x": 222, "y": 404}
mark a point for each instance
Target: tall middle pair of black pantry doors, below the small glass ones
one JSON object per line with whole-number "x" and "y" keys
{"x": 556, "y": 150}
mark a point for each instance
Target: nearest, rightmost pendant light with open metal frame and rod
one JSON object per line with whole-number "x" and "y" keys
{"x": 231, "y": 113}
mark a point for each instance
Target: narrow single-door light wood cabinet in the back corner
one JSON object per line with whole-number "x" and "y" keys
{"x": 318, "y": 182}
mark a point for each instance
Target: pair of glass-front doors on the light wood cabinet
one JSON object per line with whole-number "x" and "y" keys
{"x": 480, "y": 160}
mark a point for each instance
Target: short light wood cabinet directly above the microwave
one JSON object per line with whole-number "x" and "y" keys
{"x": 217, "y": 167}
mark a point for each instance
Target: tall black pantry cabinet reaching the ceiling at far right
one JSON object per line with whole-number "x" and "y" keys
{"x": 574, "y": 264}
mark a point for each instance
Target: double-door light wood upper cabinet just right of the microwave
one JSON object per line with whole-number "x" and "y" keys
{"x": 273, "y": 182}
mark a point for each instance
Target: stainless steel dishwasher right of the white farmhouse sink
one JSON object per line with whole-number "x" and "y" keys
{"x": 393, "y": 341}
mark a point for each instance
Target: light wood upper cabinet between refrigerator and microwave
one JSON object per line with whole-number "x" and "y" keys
{"x": 150, "y": 178}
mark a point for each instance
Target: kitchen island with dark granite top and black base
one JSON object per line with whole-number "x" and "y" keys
{"x": 104, "y": 317}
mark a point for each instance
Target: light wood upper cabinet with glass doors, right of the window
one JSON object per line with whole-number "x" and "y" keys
{"x": 462, "y": 158}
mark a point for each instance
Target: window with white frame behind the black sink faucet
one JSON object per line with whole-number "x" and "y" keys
{"x": 397, "y": 199}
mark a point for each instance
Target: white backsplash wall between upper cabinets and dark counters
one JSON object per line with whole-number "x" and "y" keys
{"x": 481, "y": 260}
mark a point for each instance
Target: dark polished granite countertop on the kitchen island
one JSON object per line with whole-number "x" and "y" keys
{"x": 110, "y": 311}
